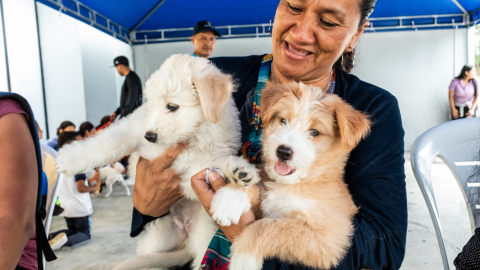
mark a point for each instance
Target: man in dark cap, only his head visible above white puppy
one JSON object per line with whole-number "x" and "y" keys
{"x": 204, "y": 39}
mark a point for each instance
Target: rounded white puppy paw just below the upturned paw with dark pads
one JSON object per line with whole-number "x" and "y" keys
{"x": 228, "y": 205}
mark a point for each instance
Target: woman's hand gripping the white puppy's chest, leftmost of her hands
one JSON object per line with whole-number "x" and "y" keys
{"x": 157, "y": 186}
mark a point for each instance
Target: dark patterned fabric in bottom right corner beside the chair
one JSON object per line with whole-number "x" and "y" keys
{"x": 469, "y": 258}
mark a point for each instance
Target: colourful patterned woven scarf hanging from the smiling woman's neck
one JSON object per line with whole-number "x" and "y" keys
{"x": 217, "y": 256}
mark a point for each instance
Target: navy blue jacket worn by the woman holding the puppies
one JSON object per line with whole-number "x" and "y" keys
{"x": 374, "y": 173}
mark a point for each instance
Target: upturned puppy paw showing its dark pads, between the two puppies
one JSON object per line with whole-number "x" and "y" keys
{"x": 238, "y": 171}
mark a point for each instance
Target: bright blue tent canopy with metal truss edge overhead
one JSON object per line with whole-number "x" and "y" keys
{"x": 146, "y": 16}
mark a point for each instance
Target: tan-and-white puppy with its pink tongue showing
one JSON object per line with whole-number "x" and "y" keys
{"x": 307, "y": 209}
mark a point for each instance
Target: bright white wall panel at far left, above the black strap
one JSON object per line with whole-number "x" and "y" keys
{"x": 23, "y": 54}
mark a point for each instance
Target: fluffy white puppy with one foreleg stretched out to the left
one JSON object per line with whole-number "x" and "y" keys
{"x": 189, "y": 100}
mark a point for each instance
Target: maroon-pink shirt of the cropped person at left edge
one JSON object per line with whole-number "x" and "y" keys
{"x": 28, "y": 260}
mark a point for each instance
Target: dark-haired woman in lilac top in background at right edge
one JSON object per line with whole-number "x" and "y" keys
{"x": 462, "y": 94}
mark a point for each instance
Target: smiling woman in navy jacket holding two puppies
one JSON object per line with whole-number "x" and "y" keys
{"x": 313, "y": 42}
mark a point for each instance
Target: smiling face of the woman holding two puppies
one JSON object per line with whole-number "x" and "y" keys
{"x": 310, "y": 35}
